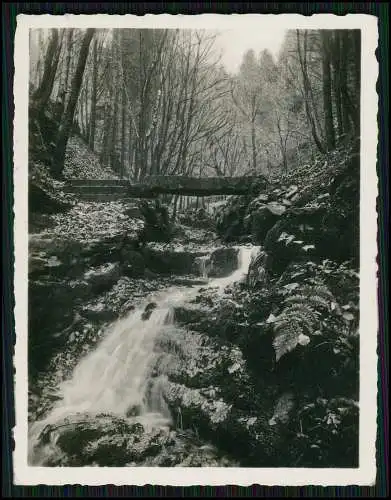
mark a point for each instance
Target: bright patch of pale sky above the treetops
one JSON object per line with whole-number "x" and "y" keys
{"x": 234, "y": 43}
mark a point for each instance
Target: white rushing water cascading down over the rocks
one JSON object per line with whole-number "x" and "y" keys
{"x": 114, "y": 377}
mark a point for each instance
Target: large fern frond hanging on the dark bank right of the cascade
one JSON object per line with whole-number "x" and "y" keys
{"x": 300, "y": 318}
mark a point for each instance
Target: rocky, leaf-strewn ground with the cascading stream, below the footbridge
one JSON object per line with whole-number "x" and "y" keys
{"x": 232, "y": 349}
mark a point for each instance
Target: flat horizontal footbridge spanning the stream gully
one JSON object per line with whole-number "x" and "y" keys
{"x": 153, "y": 186}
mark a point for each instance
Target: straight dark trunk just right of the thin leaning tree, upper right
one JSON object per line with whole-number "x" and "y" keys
{"x": 327, "y": 101}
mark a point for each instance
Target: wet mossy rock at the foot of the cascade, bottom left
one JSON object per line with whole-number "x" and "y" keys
{"x": 108, "y": 441}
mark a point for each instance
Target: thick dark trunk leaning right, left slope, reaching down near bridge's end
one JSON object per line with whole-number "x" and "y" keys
{"x": 66, "y": 125}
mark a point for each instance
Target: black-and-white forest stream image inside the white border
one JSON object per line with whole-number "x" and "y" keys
{"x": 194, "y": 247}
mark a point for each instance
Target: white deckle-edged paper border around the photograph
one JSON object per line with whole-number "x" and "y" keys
{"x": 366, "y": 472}
